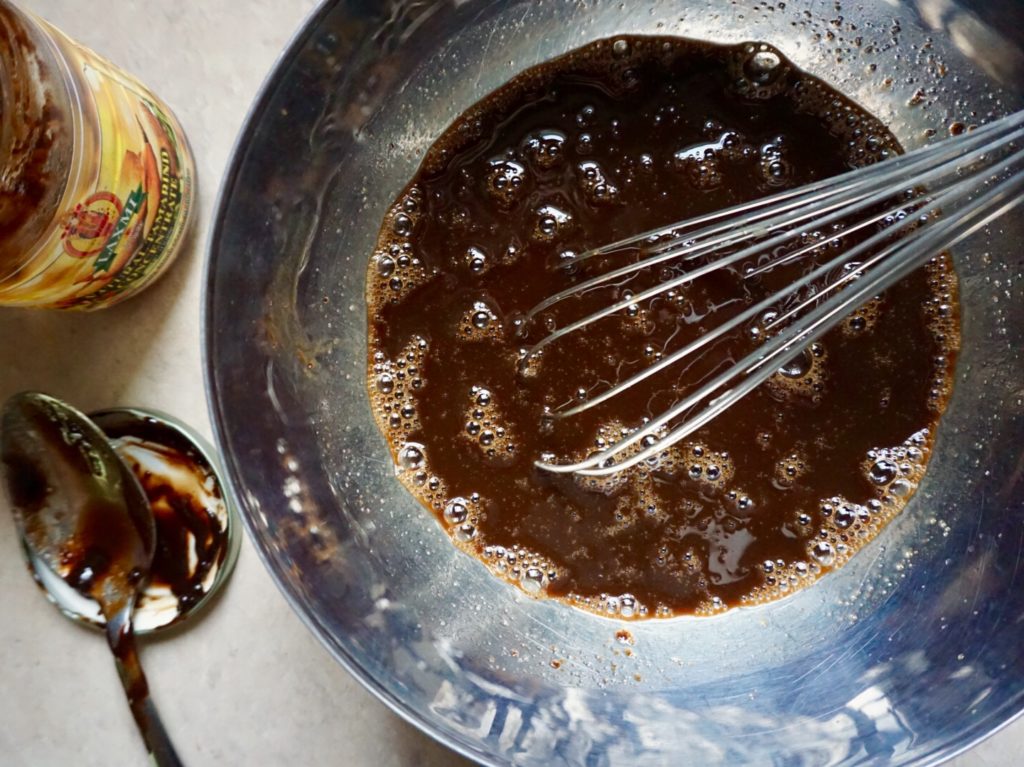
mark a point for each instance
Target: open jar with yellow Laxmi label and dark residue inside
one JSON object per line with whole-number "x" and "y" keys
{"x": 97, "y": 178}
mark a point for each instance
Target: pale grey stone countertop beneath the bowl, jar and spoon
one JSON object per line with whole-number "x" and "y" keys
{"x": 246, "y": 685}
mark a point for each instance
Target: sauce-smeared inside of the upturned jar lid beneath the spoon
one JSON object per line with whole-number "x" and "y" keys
{"x": 187, "y": 502}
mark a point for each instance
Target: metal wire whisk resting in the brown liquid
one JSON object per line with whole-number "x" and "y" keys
{"x": 946, "y": 192}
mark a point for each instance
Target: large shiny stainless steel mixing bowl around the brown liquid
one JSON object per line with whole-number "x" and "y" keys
{"x": 909, "y": 655}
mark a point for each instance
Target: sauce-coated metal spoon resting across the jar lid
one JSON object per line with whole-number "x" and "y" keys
{"x": 86, "y": 524}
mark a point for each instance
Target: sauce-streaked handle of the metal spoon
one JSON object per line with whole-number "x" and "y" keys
{"x": 121, "y": 638}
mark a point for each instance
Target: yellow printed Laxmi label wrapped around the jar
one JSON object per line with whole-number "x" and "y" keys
{"x": 127, "y": 209}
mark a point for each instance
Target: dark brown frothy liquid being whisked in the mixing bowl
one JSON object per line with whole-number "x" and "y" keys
{"x": 609, "y": 142}
